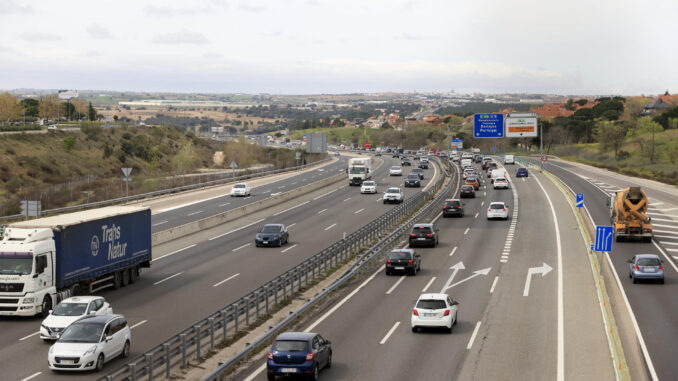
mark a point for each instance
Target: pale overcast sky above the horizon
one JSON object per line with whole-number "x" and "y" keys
{"x": 578, "y": 47}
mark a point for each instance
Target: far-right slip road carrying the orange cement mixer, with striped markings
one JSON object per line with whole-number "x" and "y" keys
{"x": 653, "y": 306}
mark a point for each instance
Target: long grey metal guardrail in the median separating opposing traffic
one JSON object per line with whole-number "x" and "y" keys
{"x": 206, "y": 335}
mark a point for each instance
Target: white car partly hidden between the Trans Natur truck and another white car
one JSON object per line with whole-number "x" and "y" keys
{"x": 70, "y": 310}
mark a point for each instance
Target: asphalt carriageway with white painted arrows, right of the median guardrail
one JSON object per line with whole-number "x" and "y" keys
{"x": 528, "y": 306}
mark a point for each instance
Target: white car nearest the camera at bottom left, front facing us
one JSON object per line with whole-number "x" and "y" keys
{"x": 90, "y": 342}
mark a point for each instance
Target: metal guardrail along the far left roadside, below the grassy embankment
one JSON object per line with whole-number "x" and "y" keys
{"x": 182, "y": 188}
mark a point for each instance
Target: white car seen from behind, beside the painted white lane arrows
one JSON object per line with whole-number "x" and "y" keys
{"x": 434, "y": 310}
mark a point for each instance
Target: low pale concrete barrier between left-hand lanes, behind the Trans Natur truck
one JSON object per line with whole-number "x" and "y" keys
{"x": 230, "y": 215}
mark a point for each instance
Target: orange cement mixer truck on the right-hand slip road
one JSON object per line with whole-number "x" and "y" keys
{"x": 628, "y": 209}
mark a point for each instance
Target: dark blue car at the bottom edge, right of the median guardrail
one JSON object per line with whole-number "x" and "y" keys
{"x": 299, "y": 353}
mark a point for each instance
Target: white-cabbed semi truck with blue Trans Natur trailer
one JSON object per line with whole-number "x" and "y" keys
{"x": 46, "y": 260}
